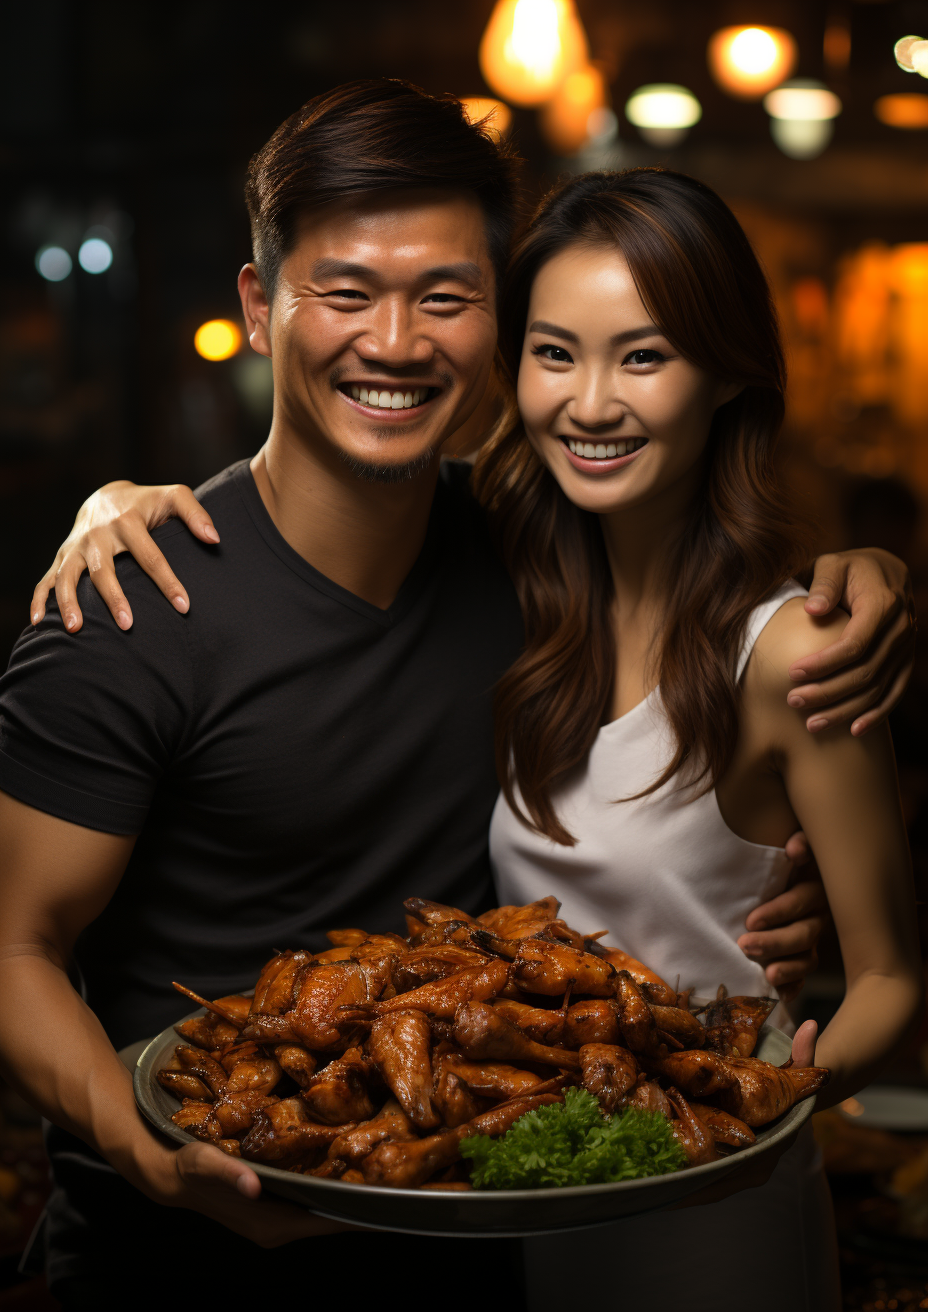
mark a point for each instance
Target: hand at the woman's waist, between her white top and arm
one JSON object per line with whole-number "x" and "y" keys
{"x": 783, "y": 935}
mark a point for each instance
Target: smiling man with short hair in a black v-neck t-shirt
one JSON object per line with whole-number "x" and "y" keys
{"x": 313, "y": 742}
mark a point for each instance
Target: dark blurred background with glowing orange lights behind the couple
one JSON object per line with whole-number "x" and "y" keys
{"x": 125, "y": 132}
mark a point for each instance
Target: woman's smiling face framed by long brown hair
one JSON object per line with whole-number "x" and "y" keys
{"x": 612, "y": 409}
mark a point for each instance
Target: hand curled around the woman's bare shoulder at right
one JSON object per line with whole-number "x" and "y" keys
{"x": 862, "y": 678}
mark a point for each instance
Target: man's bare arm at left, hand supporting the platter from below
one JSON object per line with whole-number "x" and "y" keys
{"x": 54, "y": 881}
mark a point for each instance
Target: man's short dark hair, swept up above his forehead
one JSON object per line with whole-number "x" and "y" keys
{"x": 375, "y": 136}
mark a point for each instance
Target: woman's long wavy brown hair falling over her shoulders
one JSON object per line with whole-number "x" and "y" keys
{"x": 703, "y": 285}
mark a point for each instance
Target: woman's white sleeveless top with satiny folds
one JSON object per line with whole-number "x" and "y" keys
{"x": 664, "y": 874}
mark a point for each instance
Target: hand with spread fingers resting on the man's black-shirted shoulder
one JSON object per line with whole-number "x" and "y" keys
{"x": 120, "y": 518}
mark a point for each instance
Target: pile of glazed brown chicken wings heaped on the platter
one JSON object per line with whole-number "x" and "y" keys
{"x": 373, "y": 1061}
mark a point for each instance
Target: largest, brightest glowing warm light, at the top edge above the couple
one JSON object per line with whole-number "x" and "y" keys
{"x": 530, "y": 48}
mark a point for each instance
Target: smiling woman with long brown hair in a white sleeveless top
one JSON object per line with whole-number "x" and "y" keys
{"x": 652, "y": 768}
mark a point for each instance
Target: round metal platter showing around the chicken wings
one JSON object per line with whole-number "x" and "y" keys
{"x": 482, "y": 1214}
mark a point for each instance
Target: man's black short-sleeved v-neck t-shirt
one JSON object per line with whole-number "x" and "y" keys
{"x": 292, "y": 758}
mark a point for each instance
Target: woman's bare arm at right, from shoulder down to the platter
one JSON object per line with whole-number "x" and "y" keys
{"x": 845, "y": 793}
